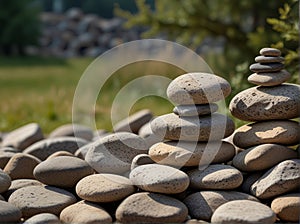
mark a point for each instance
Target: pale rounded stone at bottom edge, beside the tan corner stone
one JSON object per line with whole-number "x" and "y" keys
{"x": 243, "y": 211}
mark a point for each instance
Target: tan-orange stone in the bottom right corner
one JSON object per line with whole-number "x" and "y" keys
{"x": 287, "y": 207}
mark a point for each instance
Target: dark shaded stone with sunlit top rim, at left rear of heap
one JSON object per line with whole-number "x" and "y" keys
{"x": 47, "y": 147}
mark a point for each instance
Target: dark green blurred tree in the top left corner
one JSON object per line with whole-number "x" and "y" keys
{"x": 19, "y": 25}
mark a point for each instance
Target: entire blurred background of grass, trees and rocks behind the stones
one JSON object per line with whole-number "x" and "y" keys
{"x": 45, "y": 46}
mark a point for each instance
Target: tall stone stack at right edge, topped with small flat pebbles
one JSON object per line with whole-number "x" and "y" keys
{"x": 269, "y": 157}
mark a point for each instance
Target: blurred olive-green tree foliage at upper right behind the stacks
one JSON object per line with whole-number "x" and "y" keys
{"x": 242, "y": 24}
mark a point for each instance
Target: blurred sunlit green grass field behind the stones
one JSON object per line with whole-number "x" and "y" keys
{"x": 41, "y": 90}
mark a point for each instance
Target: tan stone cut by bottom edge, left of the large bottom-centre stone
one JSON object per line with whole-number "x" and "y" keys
{"x": 85, "y": 212}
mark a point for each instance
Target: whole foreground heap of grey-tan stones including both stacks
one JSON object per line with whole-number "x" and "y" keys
{"x": 191, "y": 175}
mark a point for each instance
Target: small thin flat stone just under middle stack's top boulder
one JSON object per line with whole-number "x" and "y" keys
{"x": 195, "y": 110}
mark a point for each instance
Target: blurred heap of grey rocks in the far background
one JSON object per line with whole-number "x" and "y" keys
{"x": 76, "y": 34}
